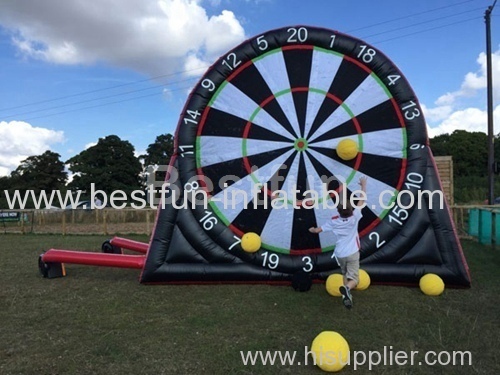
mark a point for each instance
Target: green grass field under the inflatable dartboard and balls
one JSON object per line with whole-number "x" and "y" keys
{"x": 102, "y": 321}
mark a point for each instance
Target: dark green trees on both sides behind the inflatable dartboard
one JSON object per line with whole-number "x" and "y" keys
{"x": 112, "y": 165}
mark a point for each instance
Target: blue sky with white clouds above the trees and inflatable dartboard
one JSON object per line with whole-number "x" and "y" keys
{"x": 74, "y": 71}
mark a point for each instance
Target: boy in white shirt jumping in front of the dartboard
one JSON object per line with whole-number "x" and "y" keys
{"x": 345, "y": 227}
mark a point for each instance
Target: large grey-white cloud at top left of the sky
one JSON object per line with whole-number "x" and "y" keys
{"x": 152, "y": 36}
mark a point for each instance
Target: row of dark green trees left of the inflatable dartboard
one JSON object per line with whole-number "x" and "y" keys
{"x": 110, "y": 165}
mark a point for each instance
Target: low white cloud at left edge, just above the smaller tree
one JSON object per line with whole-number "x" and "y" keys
{"x": 18, "y": 140}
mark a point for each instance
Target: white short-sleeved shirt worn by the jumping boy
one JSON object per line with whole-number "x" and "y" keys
{"x": 346, "y": 231}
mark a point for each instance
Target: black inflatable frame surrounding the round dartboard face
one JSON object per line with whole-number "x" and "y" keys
{"x": 182, "y": 251}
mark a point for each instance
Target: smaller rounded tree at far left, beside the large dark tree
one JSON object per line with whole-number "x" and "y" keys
{"x": 40, "y": 172}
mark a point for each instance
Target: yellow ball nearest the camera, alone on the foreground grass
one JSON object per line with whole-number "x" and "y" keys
{"x": 331, "y": 351}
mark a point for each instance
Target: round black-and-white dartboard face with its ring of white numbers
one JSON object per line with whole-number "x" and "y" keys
{"x": 258, "y": 136}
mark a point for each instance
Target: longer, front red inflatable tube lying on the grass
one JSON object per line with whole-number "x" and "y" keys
{"x": 94, "y": 259}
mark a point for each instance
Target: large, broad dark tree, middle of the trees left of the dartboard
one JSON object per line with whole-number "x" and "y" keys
{"x": 111, "y": 165}
